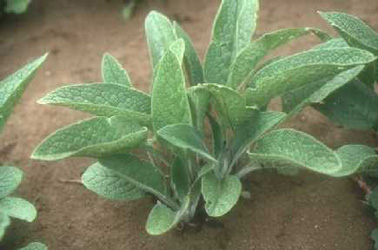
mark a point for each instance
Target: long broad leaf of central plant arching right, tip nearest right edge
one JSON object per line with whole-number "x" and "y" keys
{"x": 295, "y": 71}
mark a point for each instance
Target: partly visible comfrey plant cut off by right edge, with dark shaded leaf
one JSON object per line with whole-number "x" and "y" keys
{"x": 355, "y": 105}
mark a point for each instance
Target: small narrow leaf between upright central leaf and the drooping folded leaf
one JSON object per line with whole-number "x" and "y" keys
{"x": 199, "y": 100}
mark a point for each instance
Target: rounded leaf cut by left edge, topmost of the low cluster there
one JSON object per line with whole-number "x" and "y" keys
{"x": 10, "y": 179}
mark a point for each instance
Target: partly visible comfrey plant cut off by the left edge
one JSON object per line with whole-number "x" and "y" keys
{"x": 11, "y": 89}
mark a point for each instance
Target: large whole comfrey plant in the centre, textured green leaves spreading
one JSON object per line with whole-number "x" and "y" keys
{"x": 202, "y": 128}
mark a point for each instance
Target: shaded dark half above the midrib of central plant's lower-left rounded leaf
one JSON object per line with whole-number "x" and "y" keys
{"x": 138, "y": 173}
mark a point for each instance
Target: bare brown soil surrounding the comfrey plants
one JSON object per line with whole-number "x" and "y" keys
{"x": 306, "y": 212}
